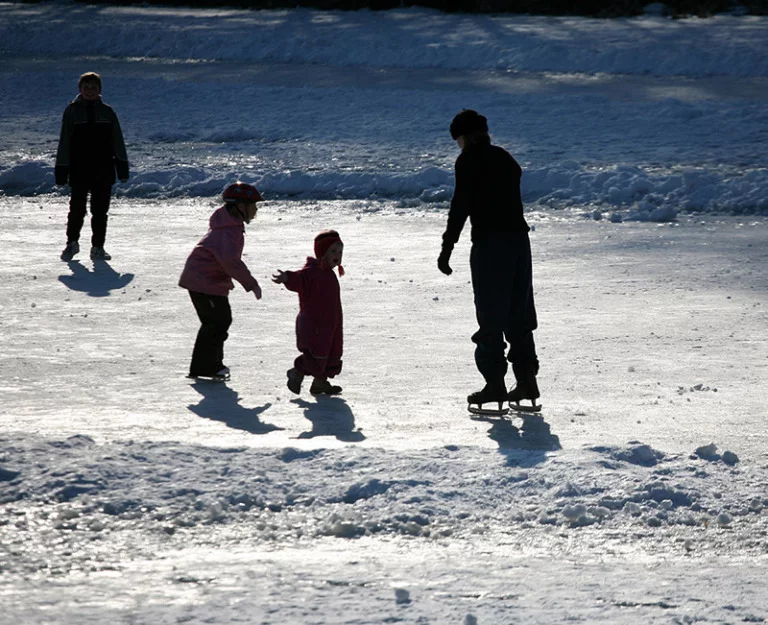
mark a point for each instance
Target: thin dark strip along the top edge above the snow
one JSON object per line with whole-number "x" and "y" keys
{"x": 587, "y": 8}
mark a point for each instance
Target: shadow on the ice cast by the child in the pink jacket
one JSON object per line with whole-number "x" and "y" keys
{"x": 221, "y": 403}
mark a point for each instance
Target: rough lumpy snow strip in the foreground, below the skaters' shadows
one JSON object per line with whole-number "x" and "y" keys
{"x": 77, "y": 487}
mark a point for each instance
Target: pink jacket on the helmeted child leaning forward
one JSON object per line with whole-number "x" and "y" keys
{"x": 216, "y": 258}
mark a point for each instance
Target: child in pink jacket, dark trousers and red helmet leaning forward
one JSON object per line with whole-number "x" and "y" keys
{"x": 208, "y": 275}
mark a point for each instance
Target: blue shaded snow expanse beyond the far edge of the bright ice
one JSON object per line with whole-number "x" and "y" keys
{"x": 629, "y": 119}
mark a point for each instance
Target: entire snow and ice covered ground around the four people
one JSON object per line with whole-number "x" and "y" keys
{"x": 130, "y": 495}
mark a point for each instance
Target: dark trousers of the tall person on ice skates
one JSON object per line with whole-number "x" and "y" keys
{"x": 502, "y": 279}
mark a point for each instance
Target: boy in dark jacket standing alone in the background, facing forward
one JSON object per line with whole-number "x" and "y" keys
{"x": 91, "y": 148}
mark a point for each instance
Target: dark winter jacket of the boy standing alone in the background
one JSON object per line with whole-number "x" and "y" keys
{"x": 91, "y": 145}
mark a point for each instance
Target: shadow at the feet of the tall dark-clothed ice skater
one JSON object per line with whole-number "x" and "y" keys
{"x": 534, "y": 435}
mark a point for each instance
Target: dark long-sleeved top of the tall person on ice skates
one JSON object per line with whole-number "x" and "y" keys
{"x": 488, "y": 192}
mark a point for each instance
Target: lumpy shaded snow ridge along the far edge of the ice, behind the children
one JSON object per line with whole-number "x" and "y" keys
{"x": 623, "y": 192}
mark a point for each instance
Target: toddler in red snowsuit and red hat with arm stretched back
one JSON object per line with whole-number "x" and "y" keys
{"x": 319, "y": 324}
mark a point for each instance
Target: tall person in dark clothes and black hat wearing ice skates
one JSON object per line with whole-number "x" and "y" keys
{"x": 487, "y": 192}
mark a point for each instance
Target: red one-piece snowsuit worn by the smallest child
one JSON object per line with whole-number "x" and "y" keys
{"x": 319, "y": 325}
